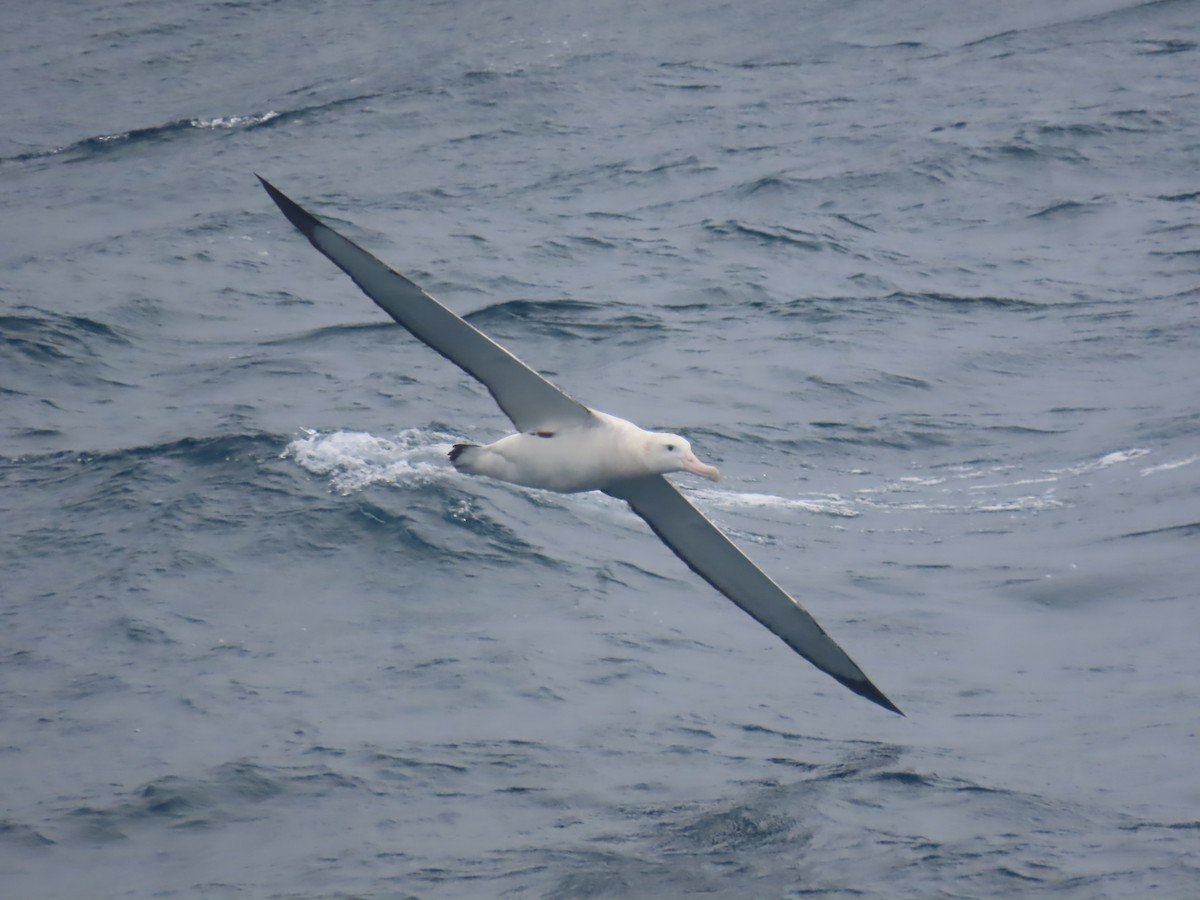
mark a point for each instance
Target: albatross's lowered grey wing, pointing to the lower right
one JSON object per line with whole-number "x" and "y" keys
{"x": 717, "y": 560}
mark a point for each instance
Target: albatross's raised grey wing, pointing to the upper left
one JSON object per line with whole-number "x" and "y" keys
{"x": 531, "y": 401}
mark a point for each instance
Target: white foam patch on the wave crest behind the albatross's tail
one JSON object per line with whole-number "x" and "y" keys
{"x": 357, "y": 460}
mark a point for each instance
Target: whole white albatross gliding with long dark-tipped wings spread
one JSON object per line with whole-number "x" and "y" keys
{"x": 563, "y": 446}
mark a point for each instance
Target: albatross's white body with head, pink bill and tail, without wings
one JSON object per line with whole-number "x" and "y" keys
{"x": 581, "y": 458}
